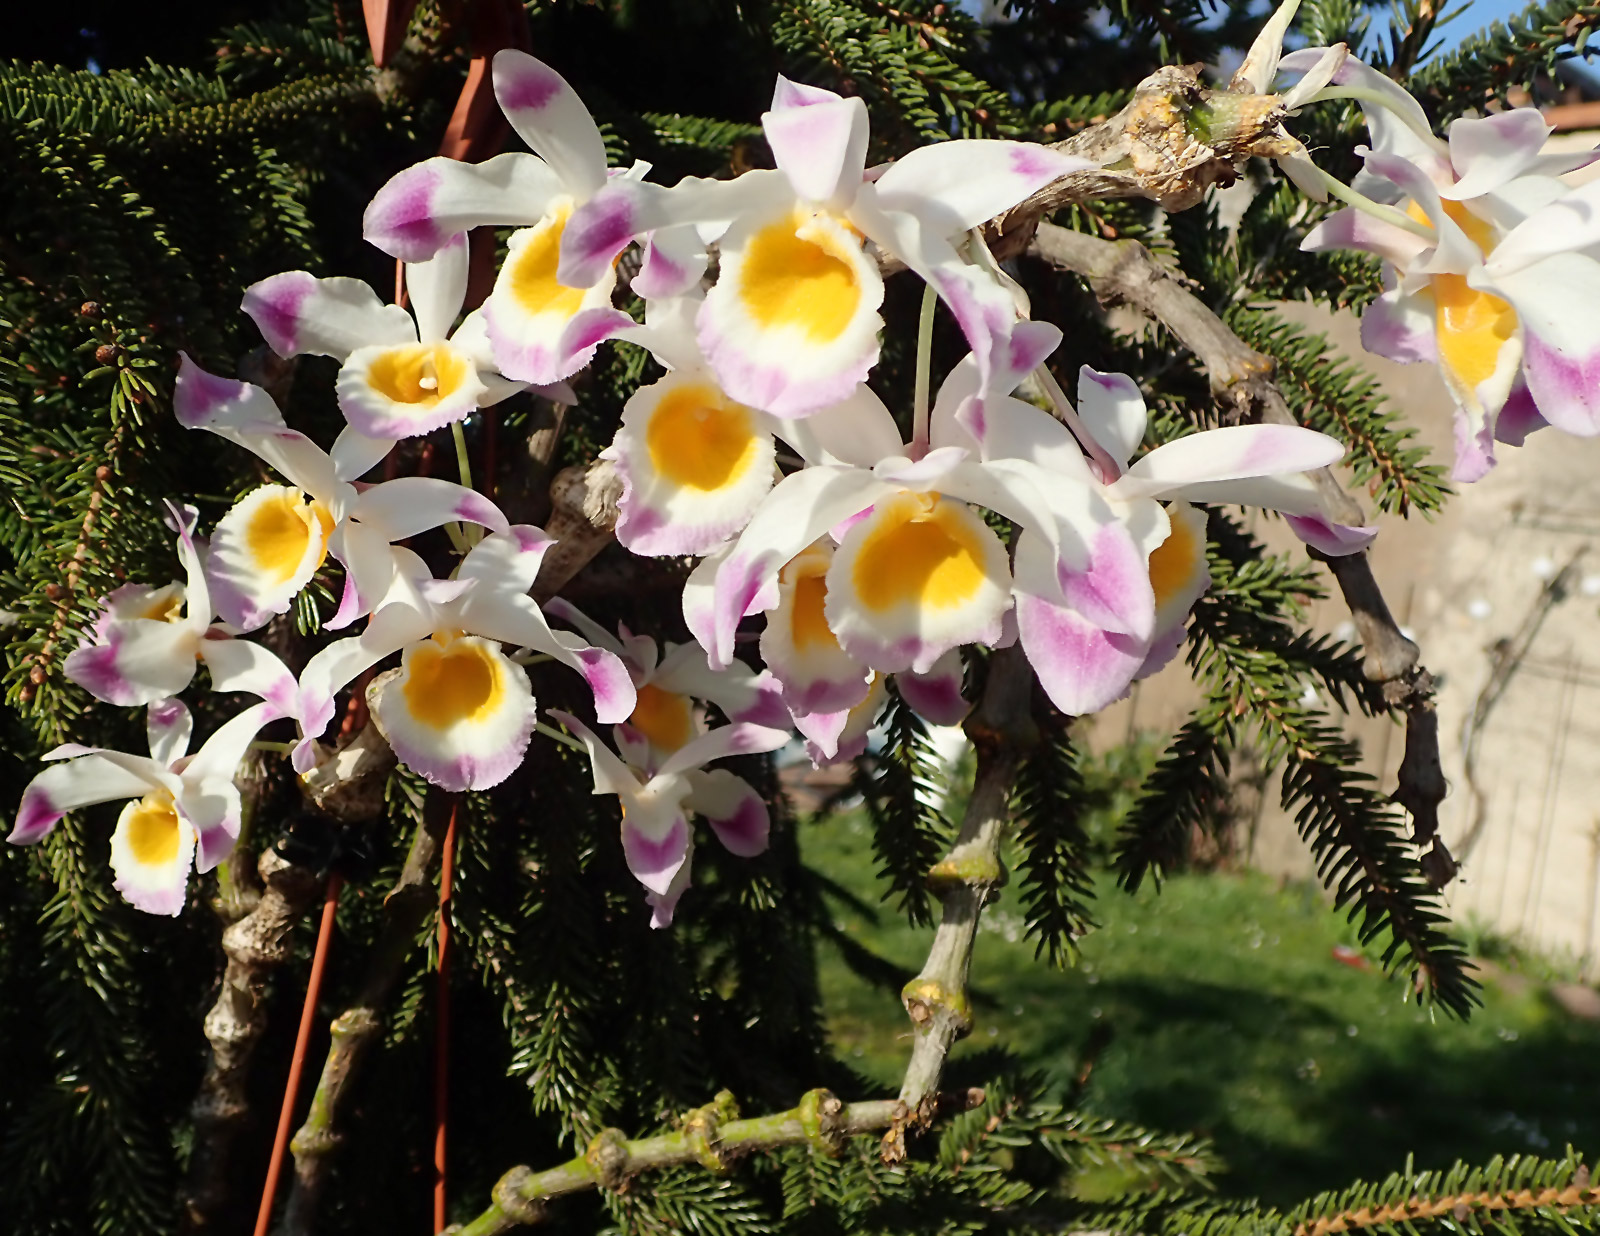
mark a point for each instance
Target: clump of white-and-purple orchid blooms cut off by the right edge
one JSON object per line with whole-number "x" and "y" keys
{"x": 1490, "y": 263}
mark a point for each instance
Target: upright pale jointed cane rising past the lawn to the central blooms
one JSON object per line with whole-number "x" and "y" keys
{"x": 1002, "y": 732}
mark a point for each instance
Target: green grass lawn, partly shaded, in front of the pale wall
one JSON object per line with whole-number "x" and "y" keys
{"x": 1218, "y": 1006}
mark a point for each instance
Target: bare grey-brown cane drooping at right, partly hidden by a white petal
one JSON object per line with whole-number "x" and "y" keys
{"x": 1242, "y": 382}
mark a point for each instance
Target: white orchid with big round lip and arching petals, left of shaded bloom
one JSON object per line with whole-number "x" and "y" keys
{"x": 462, "y": 712}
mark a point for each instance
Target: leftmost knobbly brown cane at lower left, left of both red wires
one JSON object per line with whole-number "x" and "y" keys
{"x": 255, "y": 945}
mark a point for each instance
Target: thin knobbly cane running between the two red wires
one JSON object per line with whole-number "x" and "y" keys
{"x": 358, "y": 1029}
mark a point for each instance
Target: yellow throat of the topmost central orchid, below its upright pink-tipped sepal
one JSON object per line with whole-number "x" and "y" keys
{"x": 798, "y": 276}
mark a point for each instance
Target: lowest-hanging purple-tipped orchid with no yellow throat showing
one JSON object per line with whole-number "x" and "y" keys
{"x": 657, "y": 838}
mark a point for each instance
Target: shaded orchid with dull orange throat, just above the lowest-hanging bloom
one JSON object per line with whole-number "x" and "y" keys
{"x": 668, "y": 683}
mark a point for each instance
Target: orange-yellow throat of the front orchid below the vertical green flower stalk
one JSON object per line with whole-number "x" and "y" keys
{"x": 922, "y": 552}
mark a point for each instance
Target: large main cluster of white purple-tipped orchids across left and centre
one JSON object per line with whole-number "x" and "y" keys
{"x": 764, "y": 454}
